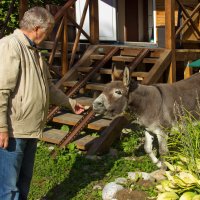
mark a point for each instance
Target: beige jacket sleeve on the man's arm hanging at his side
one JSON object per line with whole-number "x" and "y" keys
{"x": 9, "y": 71}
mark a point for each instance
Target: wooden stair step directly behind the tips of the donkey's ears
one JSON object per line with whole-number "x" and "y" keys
{"x": 109, "y": 71}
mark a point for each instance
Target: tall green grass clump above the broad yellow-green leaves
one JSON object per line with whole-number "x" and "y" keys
{"x": 184, "y": 142}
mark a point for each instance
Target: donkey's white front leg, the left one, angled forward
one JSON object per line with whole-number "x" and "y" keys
{"x": 148, "y": 147}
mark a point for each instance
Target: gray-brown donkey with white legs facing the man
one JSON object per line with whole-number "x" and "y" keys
{"x": 153, "y": 106}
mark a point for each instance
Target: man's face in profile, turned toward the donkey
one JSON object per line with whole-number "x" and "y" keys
{"x": 42, "y": 34}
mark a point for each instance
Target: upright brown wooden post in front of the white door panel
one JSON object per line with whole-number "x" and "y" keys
{"x": 94, "y": 21}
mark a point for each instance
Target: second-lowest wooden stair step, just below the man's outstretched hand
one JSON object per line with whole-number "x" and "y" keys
{"x": 72, "y": 119}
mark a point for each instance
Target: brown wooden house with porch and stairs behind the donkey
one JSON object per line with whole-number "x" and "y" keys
{"x": 155, "y": 38}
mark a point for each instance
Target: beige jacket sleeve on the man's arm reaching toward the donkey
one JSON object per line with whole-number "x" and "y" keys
{"x": 57, "y": 96}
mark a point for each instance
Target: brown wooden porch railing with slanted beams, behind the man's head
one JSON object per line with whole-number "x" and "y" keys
{"x": 64, "y": 16}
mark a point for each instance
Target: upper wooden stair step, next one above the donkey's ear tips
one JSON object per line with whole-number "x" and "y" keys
{"x": 123, "y": 58}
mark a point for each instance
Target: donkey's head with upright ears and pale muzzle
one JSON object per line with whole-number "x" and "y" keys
{"x": 113, "y": 100}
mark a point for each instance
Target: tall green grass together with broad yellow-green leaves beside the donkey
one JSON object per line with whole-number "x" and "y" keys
{"x": 183, "y": 177}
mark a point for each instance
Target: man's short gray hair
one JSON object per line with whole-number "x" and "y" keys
{"x": 36, "y": 16}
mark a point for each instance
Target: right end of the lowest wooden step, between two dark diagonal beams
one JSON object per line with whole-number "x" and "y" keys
{"x": 84, "y": 143}
